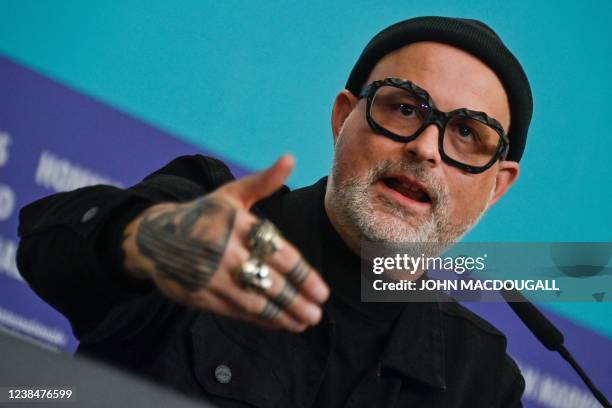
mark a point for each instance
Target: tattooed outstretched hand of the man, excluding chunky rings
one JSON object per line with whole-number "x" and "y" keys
{"x": 193, "y": 250}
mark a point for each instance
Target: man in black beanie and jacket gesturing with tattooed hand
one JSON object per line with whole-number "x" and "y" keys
{"x": 179, "y": 279}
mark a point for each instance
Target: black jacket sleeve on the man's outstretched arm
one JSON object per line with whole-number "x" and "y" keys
{"x": 69, "y": 253}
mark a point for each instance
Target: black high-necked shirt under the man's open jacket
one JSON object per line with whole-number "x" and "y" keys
{"x": 361, "y": 329}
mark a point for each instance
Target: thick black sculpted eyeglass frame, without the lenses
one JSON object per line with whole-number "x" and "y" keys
{"x": 435, "y": 117}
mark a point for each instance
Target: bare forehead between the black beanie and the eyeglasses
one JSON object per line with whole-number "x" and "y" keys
{"x": 454, "y": 78}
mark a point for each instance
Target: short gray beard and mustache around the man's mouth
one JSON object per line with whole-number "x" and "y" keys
{"x": 353, "y": 205}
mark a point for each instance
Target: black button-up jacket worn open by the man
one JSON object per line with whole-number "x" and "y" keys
{"x": 436, "y": 355}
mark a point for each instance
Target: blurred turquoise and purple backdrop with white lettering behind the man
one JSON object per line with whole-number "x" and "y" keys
{"x": 106, "y": 92}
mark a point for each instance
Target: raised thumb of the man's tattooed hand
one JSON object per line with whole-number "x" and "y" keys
{"x": 253, "y": 188}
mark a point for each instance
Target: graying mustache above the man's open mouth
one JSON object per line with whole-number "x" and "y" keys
{"x": 436, "y": 189}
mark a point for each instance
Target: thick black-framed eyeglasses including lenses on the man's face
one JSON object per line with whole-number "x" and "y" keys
{"x": 400, "y": 110}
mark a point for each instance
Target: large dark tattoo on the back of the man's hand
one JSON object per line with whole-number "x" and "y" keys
{"x": 188, "y": 258}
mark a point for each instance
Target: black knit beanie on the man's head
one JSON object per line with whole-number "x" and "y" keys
{"x": 472, "y": 36}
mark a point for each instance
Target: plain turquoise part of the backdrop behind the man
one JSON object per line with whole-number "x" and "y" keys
{"x": 252, "y": 80}
